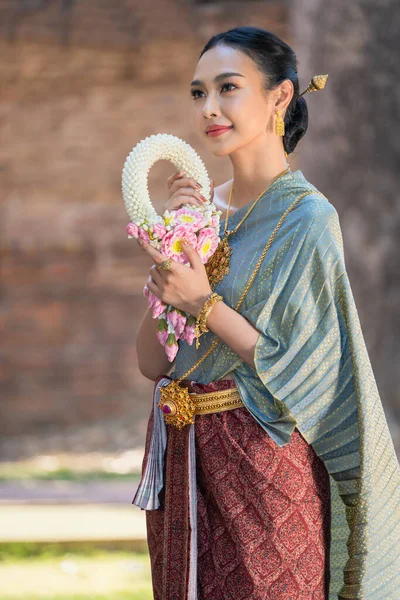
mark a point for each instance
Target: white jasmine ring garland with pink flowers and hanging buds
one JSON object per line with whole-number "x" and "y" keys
{"x": 199, "y": 225}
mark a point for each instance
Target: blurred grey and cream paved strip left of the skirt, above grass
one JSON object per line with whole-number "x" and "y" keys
{"x": 65, "y": 511}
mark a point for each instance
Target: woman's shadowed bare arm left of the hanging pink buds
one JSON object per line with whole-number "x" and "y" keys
{"x": 152, "y": 360}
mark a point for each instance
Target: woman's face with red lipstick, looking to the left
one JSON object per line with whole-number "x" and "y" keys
{"x": 227, "y": 90}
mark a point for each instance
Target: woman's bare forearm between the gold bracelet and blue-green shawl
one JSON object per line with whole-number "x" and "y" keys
{"x": 234, "y": 330}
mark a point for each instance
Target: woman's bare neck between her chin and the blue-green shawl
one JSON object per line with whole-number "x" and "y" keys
{"x": 255, "y": 166}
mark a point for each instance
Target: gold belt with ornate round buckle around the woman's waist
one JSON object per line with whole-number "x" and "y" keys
{"x": 180, "y": 408}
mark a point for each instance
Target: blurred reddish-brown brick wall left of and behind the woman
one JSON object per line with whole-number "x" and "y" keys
{"x": 71, "y": 109}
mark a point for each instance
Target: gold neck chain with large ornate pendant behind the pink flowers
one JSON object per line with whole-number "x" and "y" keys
{"x": 217, "y": 267}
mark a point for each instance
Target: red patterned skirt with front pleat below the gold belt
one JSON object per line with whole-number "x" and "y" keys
{"x": 263, "y": 513}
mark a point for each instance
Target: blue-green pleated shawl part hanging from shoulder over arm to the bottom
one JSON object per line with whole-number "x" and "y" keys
{"x": 311, "y": 356}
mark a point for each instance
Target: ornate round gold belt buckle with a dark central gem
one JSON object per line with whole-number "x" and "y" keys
{"x": 177, "y": 405}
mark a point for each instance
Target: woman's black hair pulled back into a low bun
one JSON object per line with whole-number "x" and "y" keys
{"x": 277, "y": 61}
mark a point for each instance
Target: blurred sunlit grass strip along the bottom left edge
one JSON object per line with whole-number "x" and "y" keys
{"x": 80, "y": 575}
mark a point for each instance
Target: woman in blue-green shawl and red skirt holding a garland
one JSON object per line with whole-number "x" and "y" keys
{"x": 294, "y": 491}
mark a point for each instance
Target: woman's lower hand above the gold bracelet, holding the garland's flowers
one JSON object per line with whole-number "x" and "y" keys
{"x": 184, "y": 287}
